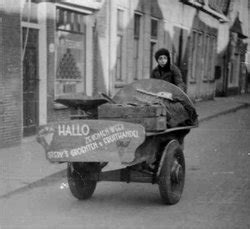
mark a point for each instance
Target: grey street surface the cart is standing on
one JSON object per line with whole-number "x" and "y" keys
{"x": 216, "y": 192}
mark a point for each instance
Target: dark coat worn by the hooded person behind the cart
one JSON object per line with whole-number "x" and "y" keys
{"x": 173, "y": 75}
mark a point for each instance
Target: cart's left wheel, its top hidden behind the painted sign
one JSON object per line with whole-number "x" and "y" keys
{"x": 81, "y": 187}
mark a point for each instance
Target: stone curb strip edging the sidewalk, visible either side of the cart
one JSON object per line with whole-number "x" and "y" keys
{"x": 63, "y": 173}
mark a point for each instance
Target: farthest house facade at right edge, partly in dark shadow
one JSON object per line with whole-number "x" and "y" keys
{"x": 232, "y": 50}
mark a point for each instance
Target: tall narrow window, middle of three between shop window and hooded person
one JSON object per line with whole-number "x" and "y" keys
{"x": 137, "y": 31}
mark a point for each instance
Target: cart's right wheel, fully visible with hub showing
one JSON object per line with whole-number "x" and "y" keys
{"x": 171, "y": 175}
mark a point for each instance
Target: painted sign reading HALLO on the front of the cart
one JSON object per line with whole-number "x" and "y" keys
{"x": 91, "y": 140}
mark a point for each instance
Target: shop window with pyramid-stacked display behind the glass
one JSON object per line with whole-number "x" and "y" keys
{"x": 70, "y": 68}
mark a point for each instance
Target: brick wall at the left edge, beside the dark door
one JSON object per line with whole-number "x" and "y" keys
{"x": 10, "y": 74}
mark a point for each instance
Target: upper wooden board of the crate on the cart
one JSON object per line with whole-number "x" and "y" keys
{"x": 130, "y": 111}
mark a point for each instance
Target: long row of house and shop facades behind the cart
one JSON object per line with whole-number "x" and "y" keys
{"x": 58, "y": 47}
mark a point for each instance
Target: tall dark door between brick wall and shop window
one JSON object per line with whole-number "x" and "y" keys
{"x": 30, "y": 81}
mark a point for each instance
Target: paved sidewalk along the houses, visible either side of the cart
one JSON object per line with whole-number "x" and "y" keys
{"x": 25, "y": 165}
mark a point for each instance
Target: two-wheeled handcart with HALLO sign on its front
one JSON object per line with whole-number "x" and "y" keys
{"x": 88, "y": 144}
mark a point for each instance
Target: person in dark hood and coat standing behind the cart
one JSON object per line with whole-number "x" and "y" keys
{"x": 167, "y": 71}
